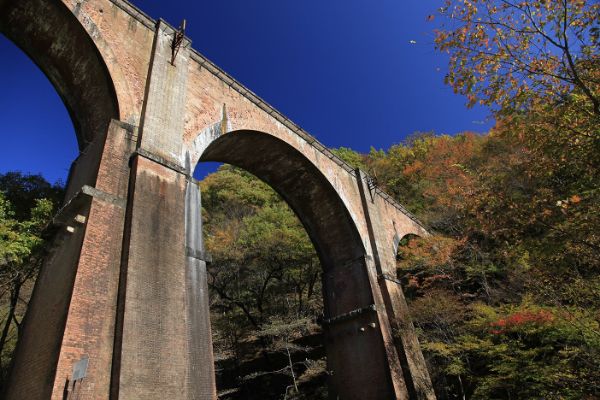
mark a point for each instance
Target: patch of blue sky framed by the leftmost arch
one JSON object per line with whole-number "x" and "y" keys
{"x": 37, "y": 133}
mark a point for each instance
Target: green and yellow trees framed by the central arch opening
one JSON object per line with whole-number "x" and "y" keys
{"x": 256, "y": 238}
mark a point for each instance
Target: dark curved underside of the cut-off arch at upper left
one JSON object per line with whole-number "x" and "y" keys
{"x": 55, "y": 40}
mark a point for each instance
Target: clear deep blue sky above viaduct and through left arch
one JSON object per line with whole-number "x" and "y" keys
{"x": 344, "y": 70}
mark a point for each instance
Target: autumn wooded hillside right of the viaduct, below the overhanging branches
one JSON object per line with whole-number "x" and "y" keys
{"x": 514, "y": 216}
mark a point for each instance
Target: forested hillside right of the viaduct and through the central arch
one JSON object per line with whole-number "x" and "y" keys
{"x": 505, "y": 294}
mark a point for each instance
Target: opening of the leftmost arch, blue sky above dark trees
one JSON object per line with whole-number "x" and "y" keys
{"x": 33, "y": 166}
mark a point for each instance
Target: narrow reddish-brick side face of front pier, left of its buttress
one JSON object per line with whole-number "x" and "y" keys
{"x": 90, "y": 325}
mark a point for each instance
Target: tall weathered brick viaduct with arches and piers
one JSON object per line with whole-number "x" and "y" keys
{"x": 124, "y": 286}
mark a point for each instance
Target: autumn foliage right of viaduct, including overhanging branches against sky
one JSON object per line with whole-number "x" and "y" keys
{"x": 506, "y": 293}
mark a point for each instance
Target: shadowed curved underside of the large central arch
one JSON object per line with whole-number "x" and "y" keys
{"x": 301, "y": 184}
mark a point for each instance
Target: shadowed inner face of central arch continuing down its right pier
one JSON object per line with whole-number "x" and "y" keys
{"x": 346, "y": 285}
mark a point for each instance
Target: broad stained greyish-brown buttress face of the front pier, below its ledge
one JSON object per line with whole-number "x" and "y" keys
{"x": 153, "y": 356}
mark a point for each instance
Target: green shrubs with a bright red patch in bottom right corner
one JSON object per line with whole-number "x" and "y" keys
{"x": 523, "y": 351}
